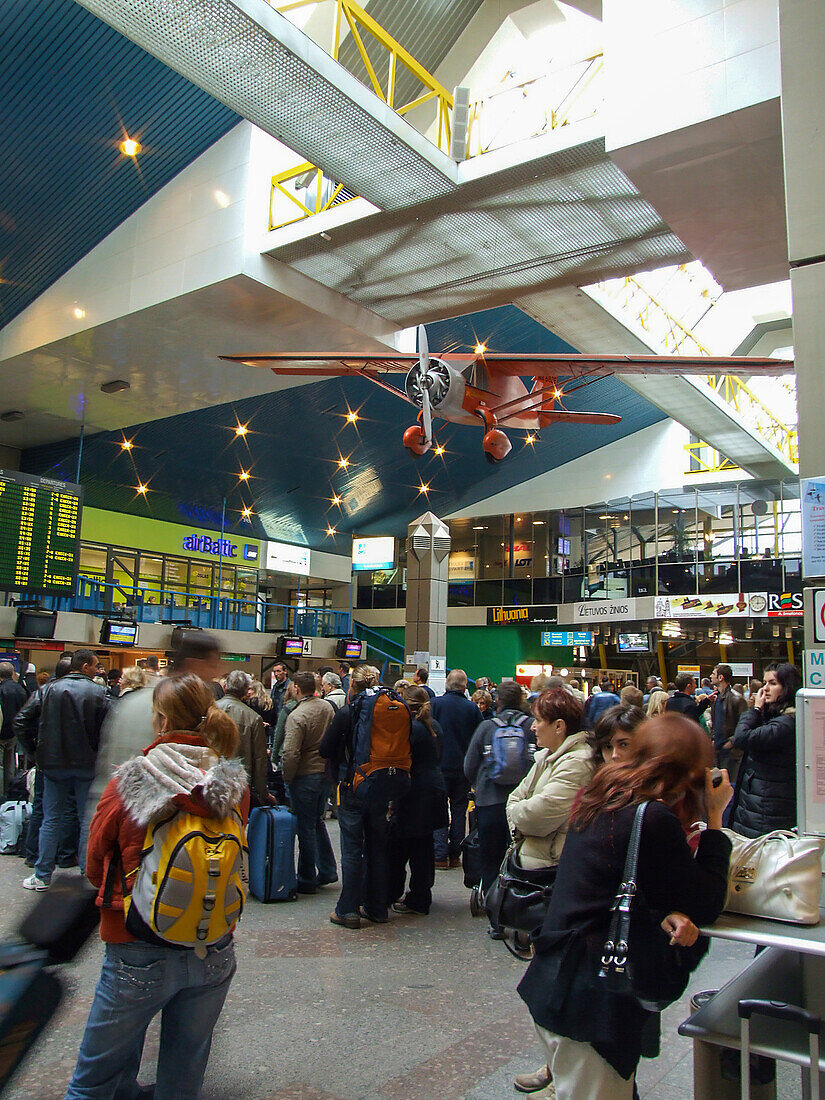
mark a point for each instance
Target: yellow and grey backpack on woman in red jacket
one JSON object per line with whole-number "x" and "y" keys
{"x": 193, "y": 879}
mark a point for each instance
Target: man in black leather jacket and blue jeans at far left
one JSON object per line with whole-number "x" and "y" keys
{"x": 62, "y": 730}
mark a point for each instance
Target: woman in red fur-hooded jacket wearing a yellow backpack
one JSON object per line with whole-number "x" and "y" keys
{"x": 168, "y": 853}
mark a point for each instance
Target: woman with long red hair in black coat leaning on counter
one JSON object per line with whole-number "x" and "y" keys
{"x": 592, "y": 1037}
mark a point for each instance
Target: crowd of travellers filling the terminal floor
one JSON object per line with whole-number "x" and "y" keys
{"x": 549, "y": 775}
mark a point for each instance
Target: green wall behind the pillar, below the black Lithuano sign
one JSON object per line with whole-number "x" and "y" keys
{"x": 493, "y": 652}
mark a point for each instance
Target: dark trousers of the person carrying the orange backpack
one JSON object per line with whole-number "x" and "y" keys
{"x": 365, "y": 840}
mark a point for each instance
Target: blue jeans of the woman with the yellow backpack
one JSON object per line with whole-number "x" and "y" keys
{"x": 138, "y": 982}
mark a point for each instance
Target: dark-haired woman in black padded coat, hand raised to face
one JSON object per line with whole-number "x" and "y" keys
{"x": 766, "y": 789}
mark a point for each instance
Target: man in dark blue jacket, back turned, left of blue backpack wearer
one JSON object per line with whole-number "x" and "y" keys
{"x": 459, "y": 719}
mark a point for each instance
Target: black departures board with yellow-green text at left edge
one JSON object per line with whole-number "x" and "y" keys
{"x": 40, "y": 533}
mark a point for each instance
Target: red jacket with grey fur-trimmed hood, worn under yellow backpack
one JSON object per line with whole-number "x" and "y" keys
{"x": 134, "y": 799}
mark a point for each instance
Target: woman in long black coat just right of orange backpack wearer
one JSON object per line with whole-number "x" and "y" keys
{"x": 417, "y": 815}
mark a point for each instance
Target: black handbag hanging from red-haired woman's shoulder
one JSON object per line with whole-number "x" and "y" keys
{"x": 637, "y": 959}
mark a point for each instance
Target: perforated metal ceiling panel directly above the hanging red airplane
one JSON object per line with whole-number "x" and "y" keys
{"x": 566, "y": 218}
